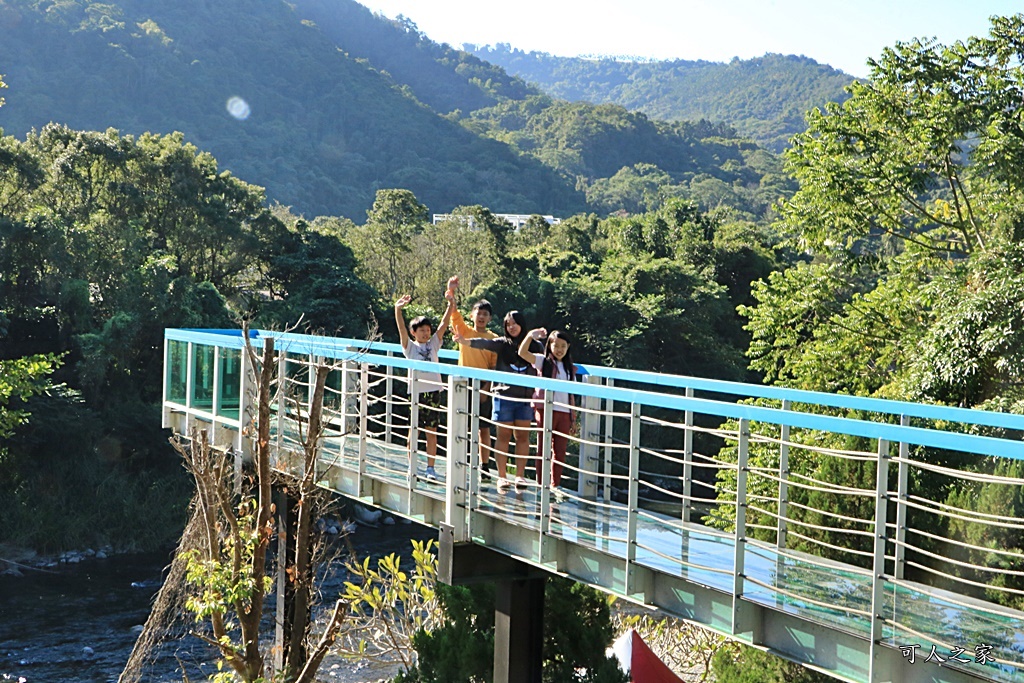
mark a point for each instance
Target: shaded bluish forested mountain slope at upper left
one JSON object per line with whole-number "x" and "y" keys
{"x": 326, "y": 131}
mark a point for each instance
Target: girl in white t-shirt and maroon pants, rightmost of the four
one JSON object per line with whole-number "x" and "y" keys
{"x": 556, "y": 364}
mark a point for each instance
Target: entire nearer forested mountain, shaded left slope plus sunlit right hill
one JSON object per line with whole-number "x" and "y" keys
{"x": 343, "y": 103}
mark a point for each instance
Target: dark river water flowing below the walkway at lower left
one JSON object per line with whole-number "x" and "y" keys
{"x": 78, "y": 624}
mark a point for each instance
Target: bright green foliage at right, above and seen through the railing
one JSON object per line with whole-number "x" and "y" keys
{"x": 909, "y": 217}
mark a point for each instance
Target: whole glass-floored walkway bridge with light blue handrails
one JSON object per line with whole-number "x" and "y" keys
{"x": 872, "y": 540}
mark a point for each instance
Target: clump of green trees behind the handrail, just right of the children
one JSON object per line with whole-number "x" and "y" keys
{"x": 653, "y": 292}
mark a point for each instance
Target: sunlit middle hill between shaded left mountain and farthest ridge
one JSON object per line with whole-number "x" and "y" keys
{"x": 625, "y": 160}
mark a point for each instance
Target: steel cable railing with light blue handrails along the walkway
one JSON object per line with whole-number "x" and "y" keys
{"x": 673, "y": 469}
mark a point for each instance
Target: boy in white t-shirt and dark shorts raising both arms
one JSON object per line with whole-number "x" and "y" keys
{"x": 426, "y": 390}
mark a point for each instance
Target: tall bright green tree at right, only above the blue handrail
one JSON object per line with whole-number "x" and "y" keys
{"x": 911, "y": 203}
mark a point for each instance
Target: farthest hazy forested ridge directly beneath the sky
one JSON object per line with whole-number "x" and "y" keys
{"x": 764, "y": 100}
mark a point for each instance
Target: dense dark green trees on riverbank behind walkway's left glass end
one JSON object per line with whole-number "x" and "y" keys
{"x": 105, "y": 241}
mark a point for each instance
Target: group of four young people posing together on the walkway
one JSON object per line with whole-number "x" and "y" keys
{"x": 513, "y": 409}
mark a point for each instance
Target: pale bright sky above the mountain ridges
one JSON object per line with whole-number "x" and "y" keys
{"x": 843, "y": 34}
